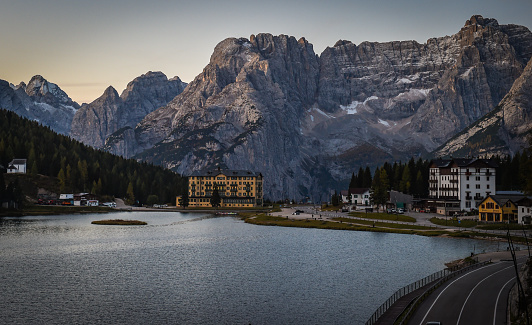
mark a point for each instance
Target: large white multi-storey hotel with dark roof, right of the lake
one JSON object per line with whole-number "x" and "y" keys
{"x": 461, "y": 184}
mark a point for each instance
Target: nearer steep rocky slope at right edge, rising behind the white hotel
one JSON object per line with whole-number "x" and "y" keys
{"x": 504, "y": 131}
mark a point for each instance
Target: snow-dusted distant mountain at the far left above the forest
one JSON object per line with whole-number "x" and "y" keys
{"x": 41, "y": 101}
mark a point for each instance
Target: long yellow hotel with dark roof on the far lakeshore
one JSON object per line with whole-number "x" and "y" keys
{"x": 237, "y": 188}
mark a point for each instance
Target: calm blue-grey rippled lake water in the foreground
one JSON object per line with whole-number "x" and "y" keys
{"x": 195, "y": 269}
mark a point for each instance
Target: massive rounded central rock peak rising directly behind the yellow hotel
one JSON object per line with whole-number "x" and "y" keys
{"x": 243, "y": 111}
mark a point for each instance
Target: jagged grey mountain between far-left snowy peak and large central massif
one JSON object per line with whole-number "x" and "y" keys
{"x": 95, "y": 122}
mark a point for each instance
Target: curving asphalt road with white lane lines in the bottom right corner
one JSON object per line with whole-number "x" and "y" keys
{"x": 477, "y": 297}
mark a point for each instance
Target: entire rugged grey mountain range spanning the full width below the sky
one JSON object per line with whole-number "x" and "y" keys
{"x": 270, "y": 104}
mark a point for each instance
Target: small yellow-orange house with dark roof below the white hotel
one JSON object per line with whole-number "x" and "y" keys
{"x": 499, "y": 208}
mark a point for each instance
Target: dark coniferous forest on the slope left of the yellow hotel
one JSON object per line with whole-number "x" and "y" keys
{"x": 80, "y": 168}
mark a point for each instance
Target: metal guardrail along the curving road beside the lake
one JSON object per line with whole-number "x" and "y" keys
{"x": 442, "y": 276}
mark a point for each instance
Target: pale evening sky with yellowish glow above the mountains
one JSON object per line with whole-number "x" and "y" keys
{"x": 86, "y": 46}
